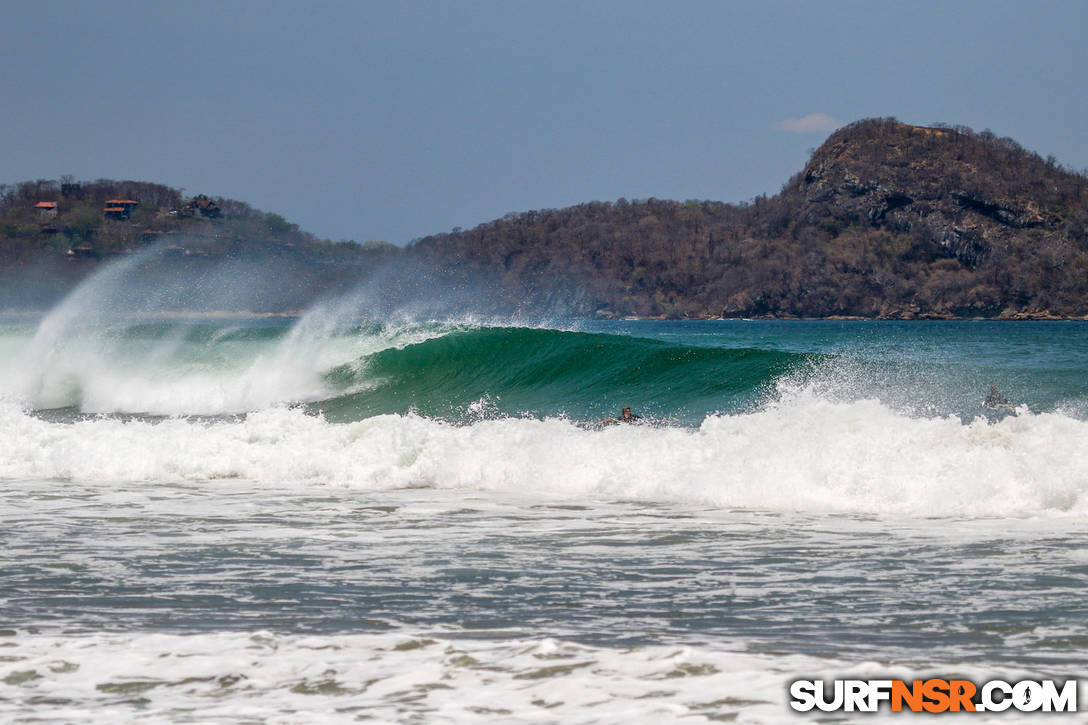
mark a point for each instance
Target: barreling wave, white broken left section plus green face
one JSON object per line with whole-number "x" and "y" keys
{"x": 349, "y": 373}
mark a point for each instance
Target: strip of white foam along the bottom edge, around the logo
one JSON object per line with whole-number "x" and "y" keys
{"x": 425, "y": 677}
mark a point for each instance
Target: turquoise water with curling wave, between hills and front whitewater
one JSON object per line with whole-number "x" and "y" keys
{"x": 669, "y": 372}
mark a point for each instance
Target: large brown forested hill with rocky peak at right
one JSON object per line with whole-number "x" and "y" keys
{"x": 886, "y": 220}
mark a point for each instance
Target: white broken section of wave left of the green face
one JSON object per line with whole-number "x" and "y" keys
{"x": 170, "y": 368}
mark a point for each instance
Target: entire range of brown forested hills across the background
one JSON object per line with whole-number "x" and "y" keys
{"x": 886, "y": 220}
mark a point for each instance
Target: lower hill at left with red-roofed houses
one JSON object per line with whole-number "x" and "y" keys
{"x": 55, "y": 234}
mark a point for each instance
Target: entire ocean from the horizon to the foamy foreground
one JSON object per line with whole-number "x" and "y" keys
{"x": 340, "y": 517}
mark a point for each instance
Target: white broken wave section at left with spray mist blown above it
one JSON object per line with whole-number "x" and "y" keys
{"x": 137, "y": 338}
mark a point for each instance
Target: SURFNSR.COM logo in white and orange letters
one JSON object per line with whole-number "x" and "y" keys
{"x": 934, "y": 696}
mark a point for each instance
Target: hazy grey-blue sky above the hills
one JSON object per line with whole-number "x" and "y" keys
{"x": 395, "y": 120}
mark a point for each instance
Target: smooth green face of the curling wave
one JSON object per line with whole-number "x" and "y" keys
{"x": 510, "y": 372}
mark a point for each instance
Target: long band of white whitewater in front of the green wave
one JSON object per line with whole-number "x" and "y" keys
{"x": 798, "y": 454}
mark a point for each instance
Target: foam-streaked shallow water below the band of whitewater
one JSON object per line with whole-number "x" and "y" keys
{"x": 239, "y": 600}
